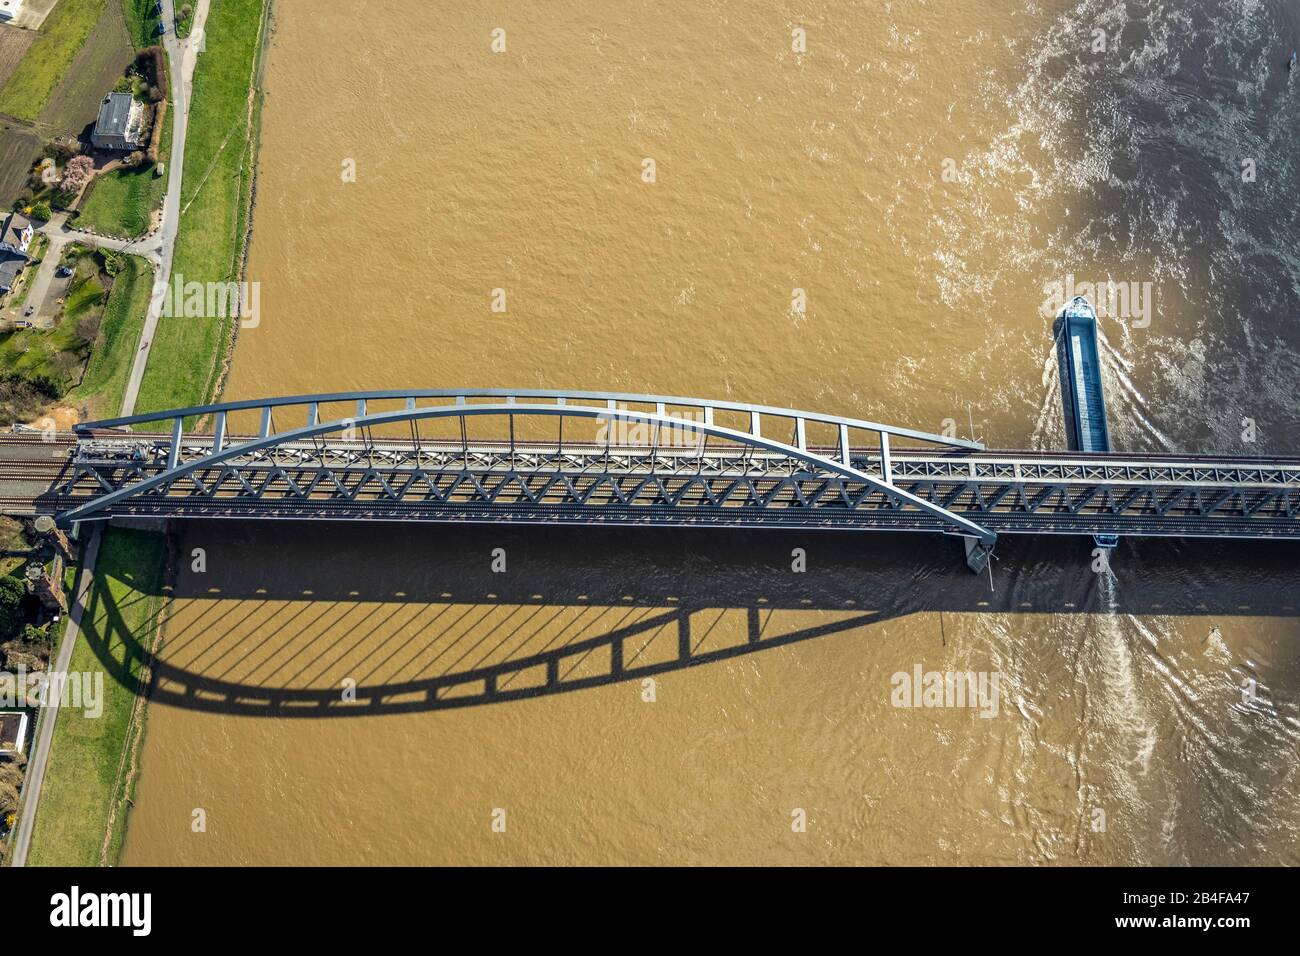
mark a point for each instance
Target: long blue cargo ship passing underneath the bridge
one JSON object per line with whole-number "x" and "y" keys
{"x": 1081, "y": 386}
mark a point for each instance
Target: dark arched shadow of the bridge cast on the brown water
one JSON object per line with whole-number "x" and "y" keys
{"x": 285, "y": 617}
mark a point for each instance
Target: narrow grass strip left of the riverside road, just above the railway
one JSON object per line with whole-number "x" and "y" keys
{"x": 111, "y": 362}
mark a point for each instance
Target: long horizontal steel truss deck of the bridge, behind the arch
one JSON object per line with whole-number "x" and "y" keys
{"x": 597, "y": 486}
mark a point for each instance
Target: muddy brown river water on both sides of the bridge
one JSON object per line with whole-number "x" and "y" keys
{"x": 924, "y": 172}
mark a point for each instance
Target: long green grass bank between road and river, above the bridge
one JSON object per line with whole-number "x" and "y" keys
{"x": 187, "y": 356}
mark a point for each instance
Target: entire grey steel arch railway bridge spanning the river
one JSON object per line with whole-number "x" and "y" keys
{"x": 642, "y": 460}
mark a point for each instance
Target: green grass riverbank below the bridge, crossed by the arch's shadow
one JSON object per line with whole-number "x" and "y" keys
{"x": 89, "y": 782}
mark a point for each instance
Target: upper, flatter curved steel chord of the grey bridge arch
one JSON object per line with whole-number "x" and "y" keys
{"x": 678, "y": 401}
